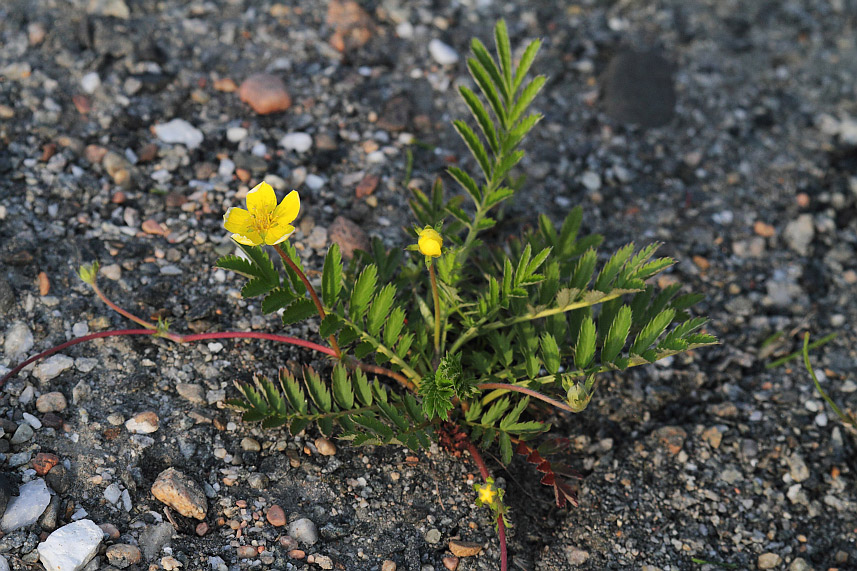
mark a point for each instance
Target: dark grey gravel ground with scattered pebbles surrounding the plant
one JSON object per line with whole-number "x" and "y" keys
{"x": 726, "y": 129}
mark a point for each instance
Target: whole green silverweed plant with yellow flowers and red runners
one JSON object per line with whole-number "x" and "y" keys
{"x": 454, "y": 340}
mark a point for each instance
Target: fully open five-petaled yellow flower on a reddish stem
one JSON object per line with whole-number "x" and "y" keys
{"x": 264, "y": 221}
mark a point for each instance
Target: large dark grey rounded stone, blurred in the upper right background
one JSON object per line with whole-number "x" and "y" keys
{"x": 638, "y": 88}
